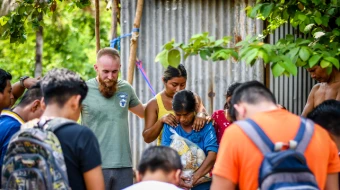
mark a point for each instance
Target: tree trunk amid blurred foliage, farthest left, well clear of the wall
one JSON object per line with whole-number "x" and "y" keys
{"x": 38, "y": 50}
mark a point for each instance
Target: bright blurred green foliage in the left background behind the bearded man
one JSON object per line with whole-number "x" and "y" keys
{"x": 69, "y": 42}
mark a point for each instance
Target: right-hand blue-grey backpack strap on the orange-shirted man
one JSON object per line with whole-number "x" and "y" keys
{"x": 304, "y": 134}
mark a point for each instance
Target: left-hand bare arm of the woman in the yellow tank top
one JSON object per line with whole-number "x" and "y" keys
{"x": 153, "y": 126}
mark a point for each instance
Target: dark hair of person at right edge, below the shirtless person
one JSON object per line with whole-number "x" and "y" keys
{"x": 327, "y": 115}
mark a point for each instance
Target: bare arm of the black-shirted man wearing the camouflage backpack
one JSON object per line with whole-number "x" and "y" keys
{"x": 94, "y": 179}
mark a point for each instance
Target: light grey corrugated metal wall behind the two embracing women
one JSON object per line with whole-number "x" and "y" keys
{"x": 180, "y": 19}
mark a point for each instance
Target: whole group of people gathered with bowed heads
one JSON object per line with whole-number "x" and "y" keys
{"x": 231, "y": 149}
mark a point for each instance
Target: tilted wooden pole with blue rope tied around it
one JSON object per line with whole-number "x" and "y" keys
{"x": 134, "y": 42}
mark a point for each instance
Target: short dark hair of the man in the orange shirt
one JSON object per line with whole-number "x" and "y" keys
{"x": 252, "y": 92}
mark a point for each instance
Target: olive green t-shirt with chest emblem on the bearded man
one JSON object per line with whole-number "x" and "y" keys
{"x": 108, "y": 119}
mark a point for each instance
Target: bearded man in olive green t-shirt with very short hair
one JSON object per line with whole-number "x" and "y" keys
{"x": 105, "y": 112}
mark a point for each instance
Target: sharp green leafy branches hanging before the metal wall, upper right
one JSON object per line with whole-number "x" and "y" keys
{"x": 318, "y": 21}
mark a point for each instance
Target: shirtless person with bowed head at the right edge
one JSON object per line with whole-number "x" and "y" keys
{"x": 328, "y": 88}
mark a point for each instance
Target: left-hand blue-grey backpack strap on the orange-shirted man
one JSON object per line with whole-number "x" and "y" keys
{"x": 257, "y": 135}
